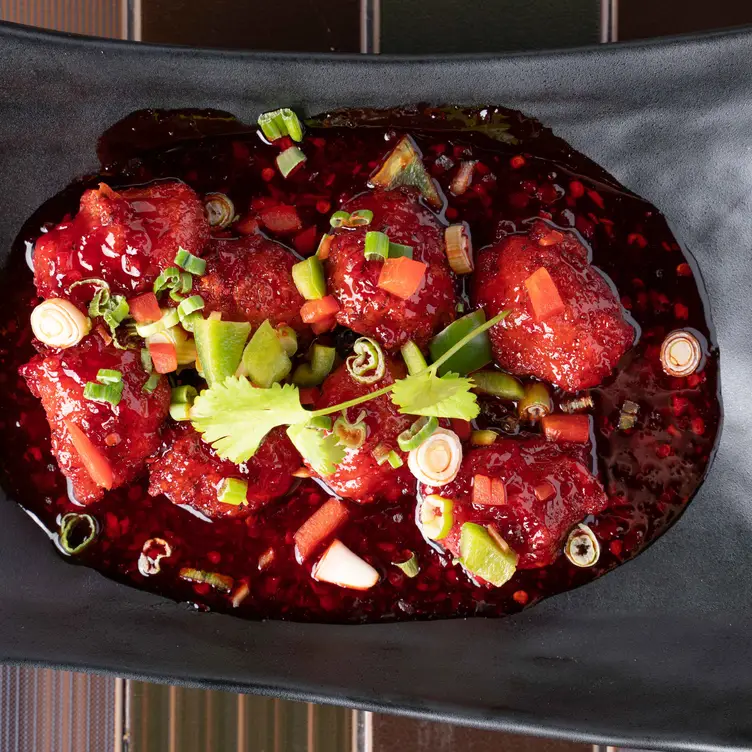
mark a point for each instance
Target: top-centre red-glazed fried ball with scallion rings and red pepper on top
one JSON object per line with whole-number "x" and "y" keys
{"x": 365, "y": 307}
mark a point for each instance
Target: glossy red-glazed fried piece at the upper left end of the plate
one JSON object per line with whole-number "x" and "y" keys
{"x": 125, "y": 238}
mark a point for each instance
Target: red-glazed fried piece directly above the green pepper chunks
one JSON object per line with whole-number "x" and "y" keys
{"x": 250, "y": 279}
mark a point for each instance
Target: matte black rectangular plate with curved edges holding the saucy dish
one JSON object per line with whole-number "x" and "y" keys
{"x": 656, "y": 654}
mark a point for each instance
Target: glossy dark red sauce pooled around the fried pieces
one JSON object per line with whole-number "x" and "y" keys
{"x": 649, "y": 473}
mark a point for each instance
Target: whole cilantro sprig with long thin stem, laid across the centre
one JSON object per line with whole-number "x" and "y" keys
{"x": 234, "y": 416}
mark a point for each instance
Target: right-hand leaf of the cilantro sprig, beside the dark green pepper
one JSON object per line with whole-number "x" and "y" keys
{"x": 427, "y": 394}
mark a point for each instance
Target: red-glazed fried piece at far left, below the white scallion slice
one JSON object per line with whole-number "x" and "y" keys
{"x": 125, "y": 434}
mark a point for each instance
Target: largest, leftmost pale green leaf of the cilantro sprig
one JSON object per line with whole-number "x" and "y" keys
{"x": 234, "y": 416}
